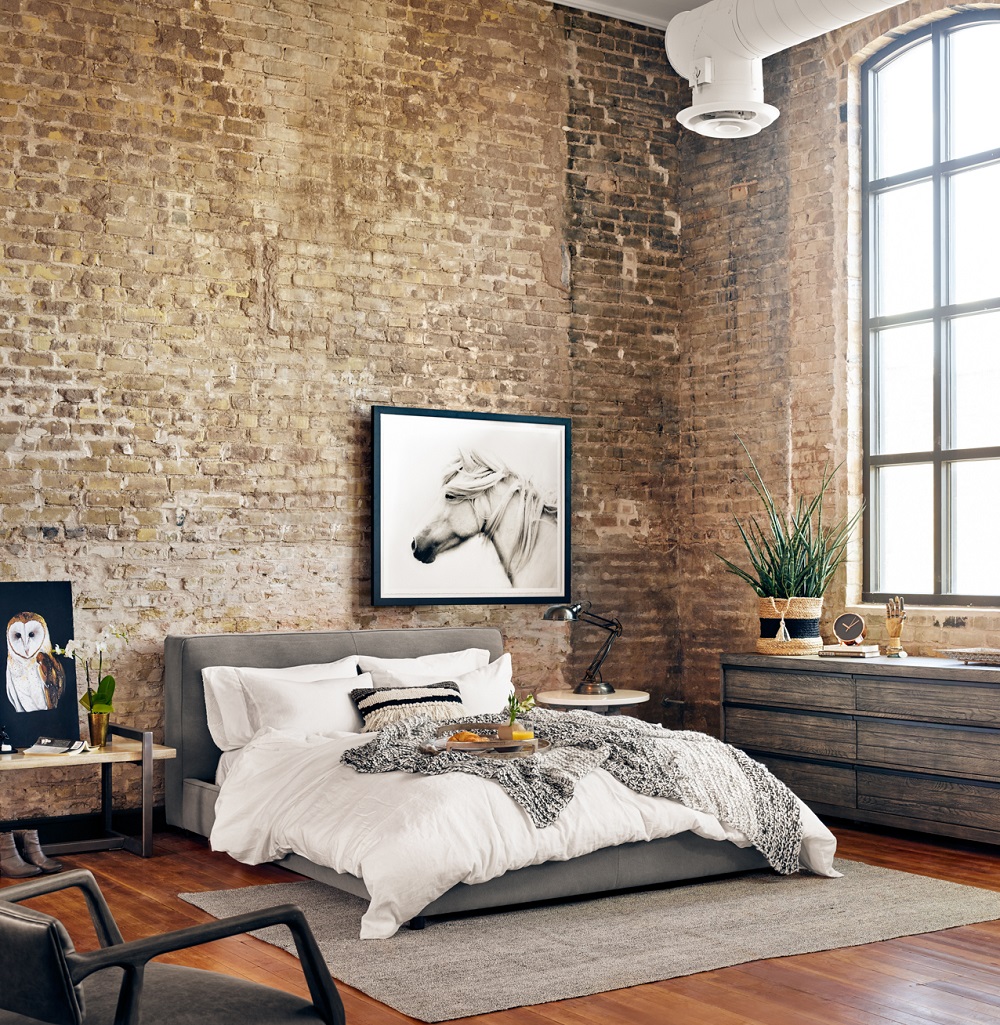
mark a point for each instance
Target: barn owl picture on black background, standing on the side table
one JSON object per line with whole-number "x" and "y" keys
{"x": 51, "y": 603}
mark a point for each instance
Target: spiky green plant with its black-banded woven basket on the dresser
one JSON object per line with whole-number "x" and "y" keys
{"x": 794, "y": 556}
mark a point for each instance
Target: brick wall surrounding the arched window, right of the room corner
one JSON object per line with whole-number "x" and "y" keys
{"x": 771, "y": 344}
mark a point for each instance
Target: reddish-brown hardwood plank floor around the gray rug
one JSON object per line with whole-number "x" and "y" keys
{"x": 948, "y": 978}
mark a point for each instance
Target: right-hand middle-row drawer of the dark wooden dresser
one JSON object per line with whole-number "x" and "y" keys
{"x": 925, "y": 748}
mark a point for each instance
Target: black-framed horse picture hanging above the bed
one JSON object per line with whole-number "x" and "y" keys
{"x": 470, "y": 509}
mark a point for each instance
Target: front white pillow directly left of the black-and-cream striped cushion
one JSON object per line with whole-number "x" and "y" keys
{"x": 300, "y": 707}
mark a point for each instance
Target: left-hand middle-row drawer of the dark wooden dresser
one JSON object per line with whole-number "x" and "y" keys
{"x": 793, "y": 733}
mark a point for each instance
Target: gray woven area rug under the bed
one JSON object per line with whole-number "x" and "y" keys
{"x": 479, "y": 964}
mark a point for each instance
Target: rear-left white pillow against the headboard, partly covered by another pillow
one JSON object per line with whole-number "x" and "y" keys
{"x": 227, "y": 688}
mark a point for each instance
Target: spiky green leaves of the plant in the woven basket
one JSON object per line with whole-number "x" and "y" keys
{"x": 793, "y": 555}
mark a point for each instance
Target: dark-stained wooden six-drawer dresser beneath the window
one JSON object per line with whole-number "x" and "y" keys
{"x": 913, "y": 743}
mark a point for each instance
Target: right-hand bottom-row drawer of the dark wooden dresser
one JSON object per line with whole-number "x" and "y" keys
{"x": 957, "y": 802}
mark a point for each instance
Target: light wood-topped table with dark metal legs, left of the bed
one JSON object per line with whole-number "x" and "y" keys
{"x": 124, "y": 745}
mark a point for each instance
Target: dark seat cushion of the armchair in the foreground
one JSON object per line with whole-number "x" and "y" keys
{"x": 176, "y": 996}
